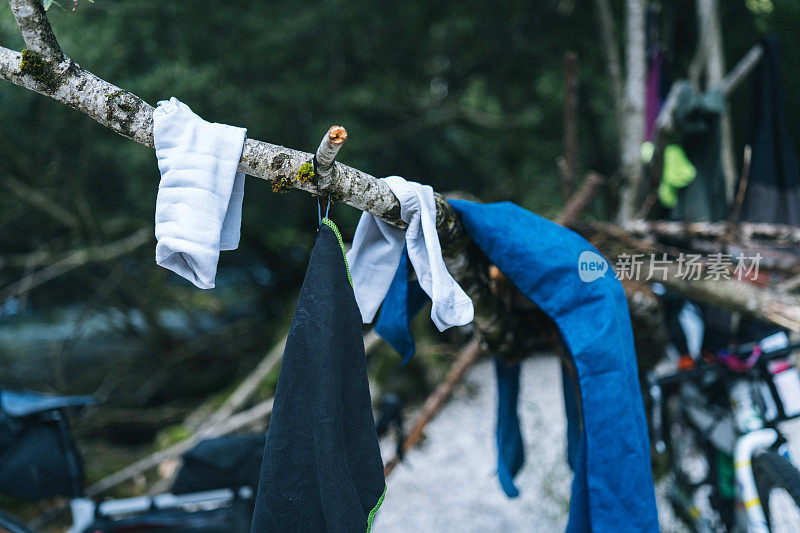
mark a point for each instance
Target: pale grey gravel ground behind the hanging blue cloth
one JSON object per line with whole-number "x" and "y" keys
{"x": 448, "y": 482}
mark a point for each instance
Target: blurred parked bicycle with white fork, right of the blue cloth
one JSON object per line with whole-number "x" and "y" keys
{"x": 717, "y": 423}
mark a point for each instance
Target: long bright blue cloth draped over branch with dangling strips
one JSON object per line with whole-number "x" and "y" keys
{"x": 613, "y": 486}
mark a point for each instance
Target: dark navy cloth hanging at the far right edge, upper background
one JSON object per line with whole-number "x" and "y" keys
{"x": 773, "y": 188}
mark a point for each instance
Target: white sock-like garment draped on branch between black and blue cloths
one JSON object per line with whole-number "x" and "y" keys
{"x": 378, "y": 247}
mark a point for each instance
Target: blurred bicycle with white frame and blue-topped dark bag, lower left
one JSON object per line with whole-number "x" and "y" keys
{"x": 42, "y": 461}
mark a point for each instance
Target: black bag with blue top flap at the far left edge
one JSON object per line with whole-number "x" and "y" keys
{"x": 38, "y": 458}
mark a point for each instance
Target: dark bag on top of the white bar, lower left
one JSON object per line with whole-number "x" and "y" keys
{"x": 231, "y": 461}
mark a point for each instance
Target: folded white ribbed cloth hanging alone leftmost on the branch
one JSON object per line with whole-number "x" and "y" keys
{"x": 199, "y": 201}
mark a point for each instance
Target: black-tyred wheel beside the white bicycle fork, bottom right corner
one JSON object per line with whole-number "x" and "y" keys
{"x": 778, "y": 485}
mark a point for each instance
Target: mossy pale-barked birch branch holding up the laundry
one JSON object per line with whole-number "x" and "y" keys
{"x": 43, "y": 68}
